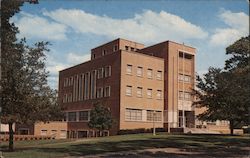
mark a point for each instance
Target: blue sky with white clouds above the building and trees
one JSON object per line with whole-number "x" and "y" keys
{"x": 73, "y": 27}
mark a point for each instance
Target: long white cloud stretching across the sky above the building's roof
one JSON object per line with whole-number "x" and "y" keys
{"x": 146, "y": 27}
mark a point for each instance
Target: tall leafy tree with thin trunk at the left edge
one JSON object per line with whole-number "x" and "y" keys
{"x": 25, "y": 95}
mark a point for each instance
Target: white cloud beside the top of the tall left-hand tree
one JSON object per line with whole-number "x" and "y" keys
{"x": 33, "y": 26}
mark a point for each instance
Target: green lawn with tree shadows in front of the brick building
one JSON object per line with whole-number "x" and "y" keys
{"x": 206, "y": 145}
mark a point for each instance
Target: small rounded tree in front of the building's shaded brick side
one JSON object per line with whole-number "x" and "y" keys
{"x": 100, "y": 118}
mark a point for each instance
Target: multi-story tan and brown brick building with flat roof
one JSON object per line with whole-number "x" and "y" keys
{"x": 141, "y": 86}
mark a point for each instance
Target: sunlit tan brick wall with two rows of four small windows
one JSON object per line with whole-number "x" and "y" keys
{"x": 134, "y": 102}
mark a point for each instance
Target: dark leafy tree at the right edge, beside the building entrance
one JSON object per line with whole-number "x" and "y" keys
{"x": 225, "y": 93}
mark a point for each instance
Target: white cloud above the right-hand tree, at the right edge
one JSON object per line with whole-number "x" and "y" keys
{"x": 238, "y": 26}
